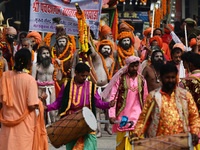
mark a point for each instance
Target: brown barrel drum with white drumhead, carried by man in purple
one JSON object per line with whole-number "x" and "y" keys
{"x": 71, "y": 127}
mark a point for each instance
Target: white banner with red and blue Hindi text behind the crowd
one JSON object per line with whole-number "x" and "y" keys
{"x": 43, "y": 11}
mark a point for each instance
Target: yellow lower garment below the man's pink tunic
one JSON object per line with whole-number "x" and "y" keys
{"x": 122, "y": 141}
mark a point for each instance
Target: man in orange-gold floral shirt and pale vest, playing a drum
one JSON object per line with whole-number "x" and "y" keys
{"x": 172, "y": 109}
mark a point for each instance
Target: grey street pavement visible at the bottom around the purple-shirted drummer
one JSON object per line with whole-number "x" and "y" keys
{"x": 106, "y": 142}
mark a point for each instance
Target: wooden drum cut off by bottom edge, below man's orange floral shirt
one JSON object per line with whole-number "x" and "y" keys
{"x": 182, "y": 141}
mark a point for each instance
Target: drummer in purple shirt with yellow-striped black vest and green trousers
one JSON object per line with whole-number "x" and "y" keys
{"x": 74, "y": 95}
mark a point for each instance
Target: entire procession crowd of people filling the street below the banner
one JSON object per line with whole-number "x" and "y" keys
{"x": 155, "y": 82}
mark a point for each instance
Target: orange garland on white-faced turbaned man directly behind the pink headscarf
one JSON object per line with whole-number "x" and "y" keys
{"x": 121, "y": 56}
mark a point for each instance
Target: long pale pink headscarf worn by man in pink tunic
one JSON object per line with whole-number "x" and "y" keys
{"x": 107, "y": 91}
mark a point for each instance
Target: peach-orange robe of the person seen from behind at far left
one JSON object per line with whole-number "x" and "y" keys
{"x": 21, "y": 133}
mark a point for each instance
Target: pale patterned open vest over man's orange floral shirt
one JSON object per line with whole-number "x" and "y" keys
{"x": 182, "y": 106}
